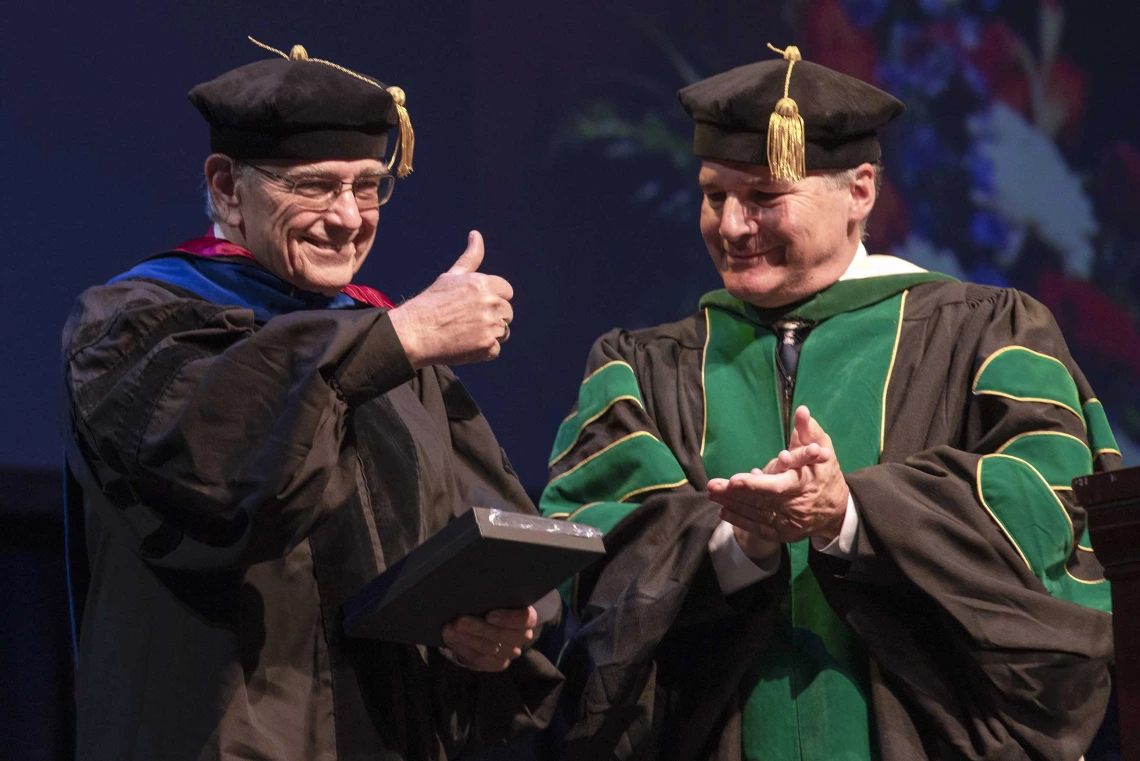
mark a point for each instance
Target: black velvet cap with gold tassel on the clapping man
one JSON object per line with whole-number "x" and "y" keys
{"x": 792, "y": 116}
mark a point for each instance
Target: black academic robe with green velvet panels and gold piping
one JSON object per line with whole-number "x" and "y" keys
{"x": 973, "y": 621}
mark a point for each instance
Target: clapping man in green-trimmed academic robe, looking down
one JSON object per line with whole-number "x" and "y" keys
{"x": 836, "y": 498}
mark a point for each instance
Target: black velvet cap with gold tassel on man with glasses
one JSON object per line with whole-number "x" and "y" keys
{"x": 304, "y": 109}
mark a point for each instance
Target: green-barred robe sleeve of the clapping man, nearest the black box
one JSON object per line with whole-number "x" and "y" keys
{"x": 626, "y": 461}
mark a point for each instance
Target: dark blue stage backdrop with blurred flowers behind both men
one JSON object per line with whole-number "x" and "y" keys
{"x": 552, "y": 128}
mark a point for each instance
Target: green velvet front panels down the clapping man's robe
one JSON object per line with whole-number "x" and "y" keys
{"x": 809, "y": 690}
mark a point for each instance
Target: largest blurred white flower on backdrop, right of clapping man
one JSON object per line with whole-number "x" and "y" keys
{"x": 1033, "y": 187}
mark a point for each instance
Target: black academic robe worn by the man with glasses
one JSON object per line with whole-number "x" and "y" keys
{"x": 241, "y": 480}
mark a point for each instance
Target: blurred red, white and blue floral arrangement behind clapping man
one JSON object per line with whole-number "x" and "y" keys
{"x": 980, "y": 182}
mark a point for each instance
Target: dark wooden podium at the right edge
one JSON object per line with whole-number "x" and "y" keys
{"x": 1113, "y": 502}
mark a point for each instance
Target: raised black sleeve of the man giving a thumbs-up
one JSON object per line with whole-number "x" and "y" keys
{"x": 213, "y": 443}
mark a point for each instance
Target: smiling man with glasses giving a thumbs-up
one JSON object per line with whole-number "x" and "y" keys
{"x": 256, "y": 438}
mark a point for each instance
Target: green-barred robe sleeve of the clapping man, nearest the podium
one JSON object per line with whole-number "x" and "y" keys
{"x": 974, "y": 586}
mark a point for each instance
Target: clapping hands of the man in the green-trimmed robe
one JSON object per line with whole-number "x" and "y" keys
{"x": 801, "y": 494}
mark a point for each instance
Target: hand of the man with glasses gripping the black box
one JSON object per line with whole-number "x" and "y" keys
{"x": 491, "y": 643}
